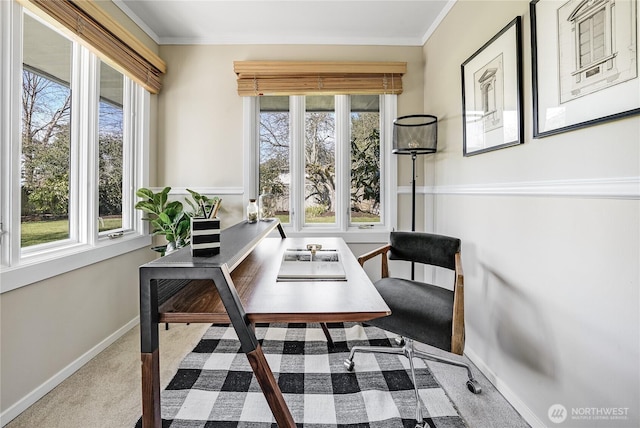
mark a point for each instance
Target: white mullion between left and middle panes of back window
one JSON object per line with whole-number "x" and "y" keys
{"x": 297, "y": 108}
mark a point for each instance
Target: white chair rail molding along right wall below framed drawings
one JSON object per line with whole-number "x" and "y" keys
{"x": 599, "y": 188}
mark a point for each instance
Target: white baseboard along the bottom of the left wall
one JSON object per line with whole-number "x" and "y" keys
{"x": 24, "y": 403}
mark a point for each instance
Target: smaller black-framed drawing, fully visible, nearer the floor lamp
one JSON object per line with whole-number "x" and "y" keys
{"x": 492, "y": 114}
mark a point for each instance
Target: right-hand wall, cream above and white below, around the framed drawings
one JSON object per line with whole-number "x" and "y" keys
{"x": 550, "y": 233}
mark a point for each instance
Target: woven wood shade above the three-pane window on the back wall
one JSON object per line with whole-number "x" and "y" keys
{"x": 312, "y": 77}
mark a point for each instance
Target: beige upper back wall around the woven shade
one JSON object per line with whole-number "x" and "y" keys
{"x": 200, "y": 112}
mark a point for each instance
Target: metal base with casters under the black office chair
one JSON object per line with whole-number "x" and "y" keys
{"x": 410, "y": 352}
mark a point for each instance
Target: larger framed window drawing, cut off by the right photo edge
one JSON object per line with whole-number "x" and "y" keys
{"x": 584, "y": 63}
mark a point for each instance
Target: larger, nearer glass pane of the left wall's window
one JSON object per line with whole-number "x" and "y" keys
{"x": 45, "y": 159}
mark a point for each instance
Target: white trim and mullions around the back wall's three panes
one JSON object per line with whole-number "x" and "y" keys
{"x": 388, "y": 166}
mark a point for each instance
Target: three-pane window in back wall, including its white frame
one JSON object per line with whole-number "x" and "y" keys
{"x": 323, "y": 157}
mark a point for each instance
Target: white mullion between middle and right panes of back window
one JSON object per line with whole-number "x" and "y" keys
{"x": 343, "y": 159}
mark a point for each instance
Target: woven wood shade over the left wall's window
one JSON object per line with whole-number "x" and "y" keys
{"x": 109, "y": 39}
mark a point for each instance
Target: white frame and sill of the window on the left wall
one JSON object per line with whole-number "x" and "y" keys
{"x": 18, "y": 267}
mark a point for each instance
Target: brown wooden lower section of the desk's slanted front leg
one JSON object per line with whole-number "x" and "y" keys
{"x": 270, "y": 388}
